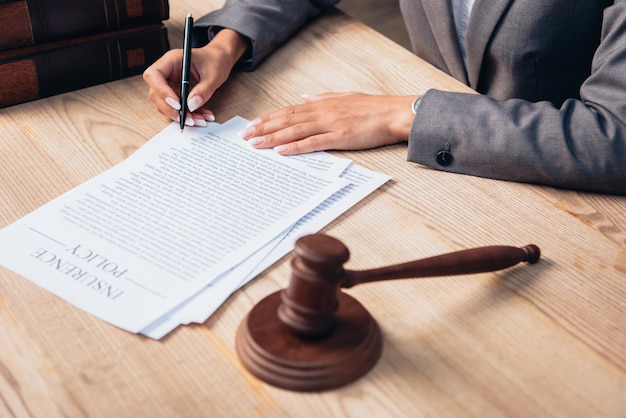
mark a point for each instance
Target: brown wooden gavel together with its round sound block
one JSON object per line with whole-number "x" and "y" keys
{"x": 312, "y": 336}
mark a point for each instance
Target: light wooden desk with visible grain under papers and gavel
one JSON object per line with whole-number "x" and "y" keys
{"x": 542, "y": 340}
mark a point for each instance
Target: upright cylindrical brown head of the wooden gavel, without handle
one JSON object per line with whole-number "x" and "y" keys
{"x": 310, "y": 300}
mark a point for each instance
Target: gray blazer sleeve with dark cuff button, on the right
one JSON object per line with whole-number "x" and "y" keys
{"x": 580, "y": 144}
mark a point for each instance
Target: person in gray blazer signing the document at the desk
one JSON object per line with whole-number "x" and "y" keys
{"x": 551, "y": 77}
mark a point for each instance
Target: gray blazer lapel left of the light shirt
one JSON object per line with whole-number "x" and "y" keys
{"x": 439, "y": 13}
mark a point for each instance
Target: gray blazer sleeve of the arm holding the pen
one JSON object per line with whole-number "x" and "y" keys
{"x": 267, "y": 23}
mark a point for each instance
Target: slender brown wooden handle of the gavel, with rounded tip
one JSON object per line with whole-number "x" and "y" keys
{"x": 475, "y": 260}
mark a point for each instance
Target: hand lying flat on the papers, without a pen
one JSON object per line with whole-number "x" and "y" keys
{"x": 340, "y": 121}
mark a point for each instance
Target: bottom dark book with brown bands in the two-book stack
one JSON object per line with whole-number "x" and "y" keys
{"x": 36, "y": 72}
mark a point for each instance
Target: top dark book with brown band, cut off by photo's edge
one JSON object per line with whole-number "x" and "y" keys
{"x": 31, "y": 22}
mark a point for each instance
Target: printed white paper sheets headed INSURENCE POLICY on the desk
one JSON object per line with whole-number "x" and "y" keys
{"x": 163, "y": 238}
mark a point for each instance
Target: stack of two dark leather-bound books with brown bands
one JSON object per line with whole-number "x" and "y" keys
{"x": 49, "y": 47}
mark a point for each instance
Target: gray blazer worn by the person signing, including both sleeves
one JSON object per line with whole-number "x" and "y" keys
{"x": 552, "y": 76}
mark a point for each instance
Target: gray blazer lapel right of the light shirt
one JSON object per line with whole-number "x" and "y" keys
{"x": 483, "y": 20}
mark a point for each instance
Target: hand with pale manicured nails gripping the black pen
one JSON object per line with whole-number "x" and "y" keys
{"x": 210, "y": 68}
